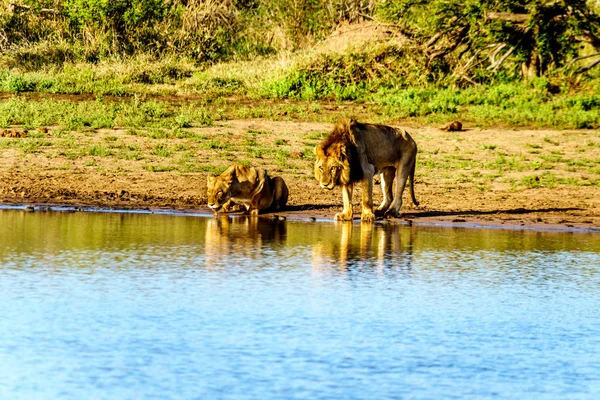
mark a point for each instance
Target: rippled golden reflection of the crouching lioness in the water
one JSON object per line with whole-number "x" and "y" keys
{"x": 240, "y": 236}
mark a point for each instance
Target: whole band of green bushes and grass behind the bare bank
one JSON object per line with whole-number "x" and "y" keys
{"x": 509, "y": 62}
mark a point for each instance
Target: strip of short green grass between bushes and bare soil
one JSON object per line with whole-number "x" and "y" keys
{"x": 515, "y": 104}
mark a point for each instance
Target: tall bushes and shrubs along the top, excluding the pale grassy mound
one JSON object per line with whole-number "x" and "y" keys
{"x": 448, "y": 42}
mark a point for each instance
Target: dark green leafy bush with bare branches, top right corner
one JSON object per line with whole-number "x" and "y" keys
{"x": 474, "y": 39}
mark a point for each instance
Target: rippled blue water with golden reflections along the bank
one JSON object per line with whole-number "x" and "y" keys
{"x": 124, "y": 306}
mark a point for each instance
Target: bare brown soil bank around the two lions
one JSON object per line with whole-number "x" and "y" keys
{"x": 451, "y": 190}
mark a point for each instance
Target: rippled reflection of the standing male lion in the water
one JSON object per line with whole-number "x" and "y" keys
{"x": 377, "y": 246}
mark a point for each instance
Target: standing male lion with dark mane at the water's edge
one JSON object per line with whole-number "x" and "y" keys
{"x": 354, "y": 152}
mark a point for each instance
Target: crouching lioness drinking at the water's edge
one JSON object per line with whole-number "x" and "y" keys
{"x": 247, "y": 186}
